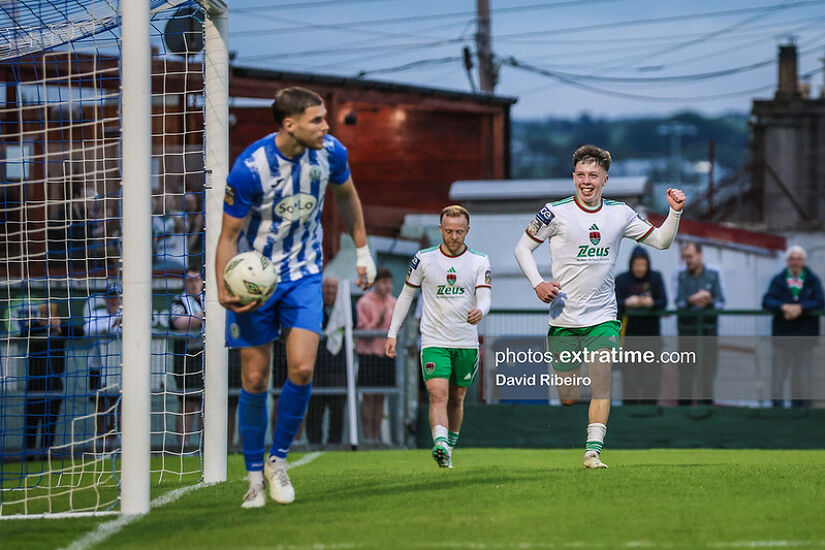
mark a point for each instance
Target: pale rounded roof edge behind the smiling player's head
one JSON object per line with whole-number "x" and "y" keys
{"x": 480, "y": 190}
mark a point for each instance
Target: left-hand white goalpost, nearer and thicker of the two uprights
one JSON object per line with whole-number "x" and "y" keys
{"x": 136, "y": 155}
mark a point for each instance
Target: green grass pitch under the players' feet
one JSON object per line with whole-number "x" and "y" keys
{"x": 494, "y": 498}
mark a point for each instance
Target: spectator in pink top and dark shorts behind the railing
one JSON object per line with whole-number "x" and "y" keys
{"x": 374, "y": 369}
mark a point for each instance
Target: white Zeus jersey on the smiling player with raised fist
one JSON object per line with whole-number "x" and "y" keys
{"x": 584, "y": 244}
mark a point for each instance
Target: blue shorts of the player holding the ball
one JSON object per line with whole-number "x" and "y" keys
{"x": 295, "y": 304}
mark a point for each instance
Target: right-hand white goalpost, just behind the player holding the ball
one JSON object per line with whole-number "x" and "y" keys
{"x": 216, "y": 162}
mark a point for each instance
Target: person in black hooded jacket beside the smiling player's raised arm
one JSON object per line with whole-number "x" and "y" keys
{"x": 640, "y": 288}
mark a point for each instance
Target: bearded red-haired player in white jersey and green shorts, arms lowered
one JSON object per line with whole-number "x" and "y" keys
{"x": 455, "y": 283}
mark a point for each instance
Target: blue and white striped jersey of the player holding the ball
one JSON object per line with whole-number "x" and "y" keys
{"x": 283, "y": 198}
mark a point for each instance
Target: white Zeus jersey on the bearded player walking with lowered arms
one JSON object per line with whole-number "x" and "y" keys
{"x": 448, "y": 286}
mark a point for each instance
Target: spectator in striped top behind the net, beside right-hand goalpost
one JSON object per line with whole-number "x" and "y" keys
{"x": 187, "y": 315}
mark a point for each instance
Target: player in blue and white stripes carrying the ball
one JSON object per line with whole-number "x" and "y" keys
{"x": 273, "y": 202}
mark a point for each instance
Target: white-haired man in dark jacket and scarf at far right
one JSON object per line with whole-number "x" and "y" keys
{"x": 792, "y": 295}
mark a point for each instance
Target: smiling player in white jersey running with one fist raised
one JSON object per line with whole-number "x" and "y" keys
{"x": 584, "y": 233}
